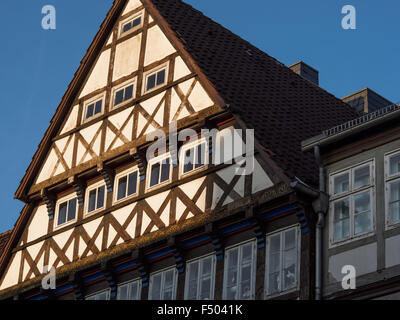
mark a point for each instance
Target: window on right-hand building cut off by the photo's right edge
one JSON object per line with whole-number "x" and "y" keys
{"x": 392, "y": 188}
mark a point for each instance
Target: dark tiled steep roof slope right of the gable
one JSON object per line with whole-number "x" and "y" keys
{"x": 282, "y": 107}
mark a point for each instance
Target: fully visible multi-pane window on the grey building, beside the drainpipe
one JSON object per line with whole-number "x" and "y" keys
{"x": 352, "y": 202}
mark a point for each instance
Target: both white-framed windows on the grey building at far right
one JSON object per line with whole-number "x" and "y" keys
{"x": 353, "y": 198}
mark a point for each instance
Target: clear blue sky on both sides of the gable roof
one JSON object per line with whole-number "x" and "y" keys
{"x": 38, "y": 65}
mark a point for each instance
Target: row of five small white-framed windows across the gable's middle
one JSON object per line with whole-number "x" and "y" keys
{"x": 194, "y": 157}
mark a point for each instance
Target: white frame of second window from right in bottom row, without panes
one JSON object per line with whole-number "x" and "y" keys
{"x": 254, "y": 268}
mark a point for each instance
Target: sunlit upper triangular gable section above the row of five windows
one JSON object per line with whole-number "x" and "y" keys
{"x": 116, "y": 60}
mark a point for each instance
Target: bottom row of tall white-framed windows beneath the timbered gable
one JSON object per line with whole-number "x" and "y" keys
{"x": 282, "y": 273}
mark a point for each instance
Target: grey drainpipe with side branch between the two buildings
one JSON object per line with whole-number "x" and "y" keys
{"x": 320, "y": 204}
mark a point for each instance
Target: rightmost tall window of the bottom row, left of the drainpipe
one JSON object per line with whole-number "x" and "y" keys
{"x": 282, "y": 262}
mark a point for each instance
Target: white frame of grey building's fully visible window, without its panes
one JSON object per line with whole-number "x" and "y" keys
{"x": 350, "y": 194}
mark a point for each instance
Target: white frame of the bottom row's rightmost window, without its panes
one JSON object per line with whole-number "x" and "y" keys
{"x": 298, "y": 252}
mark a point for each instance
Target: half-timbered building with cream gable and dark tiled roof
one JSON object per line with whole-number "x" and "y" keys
{"x": 116, "y": 224}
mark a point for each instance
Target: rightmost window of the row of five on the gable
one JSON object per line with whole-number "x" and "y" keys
{"x": 194, "y": 156}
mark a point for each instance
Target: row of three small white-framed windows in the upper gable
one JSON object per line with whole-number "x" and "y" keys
{"x": 124, "y": 93}
